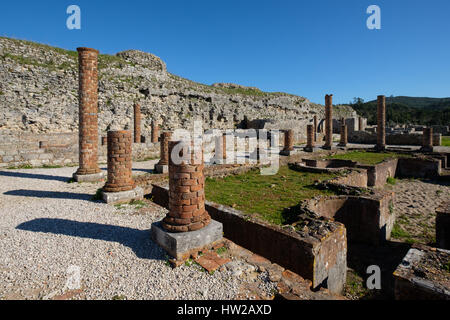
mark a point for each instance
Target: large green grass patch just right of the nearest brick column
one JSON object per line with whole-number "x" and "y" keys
{"x": 266, "y": 196}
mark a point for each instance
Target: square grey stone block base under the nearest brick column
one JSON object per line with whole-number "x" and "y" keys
{"x": 181, "y": 245}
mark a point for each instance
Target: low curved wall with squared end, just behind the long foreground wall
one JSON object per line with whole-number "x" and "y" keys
{"x": 368, "y": 219}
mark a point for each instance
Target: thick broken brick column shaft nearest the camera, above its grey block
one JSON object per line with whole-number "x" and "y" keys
{"x": 186, "y": 195}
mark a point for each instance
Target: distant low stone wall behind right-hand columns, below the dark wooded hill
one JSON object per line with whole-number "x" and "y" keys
{"x": 407, "y": 139}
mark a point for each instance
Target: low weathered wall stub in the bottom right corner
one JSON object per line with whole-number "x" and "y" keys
{"x": 411, "y": 281}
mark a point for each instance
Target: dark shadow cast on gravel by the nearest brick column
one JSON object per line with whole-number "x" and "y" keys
{"x": 138, "y": 240}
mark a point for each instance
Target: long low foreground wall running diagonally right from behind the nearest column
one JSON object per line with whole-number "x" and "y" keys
{"x": 321, "y": 258}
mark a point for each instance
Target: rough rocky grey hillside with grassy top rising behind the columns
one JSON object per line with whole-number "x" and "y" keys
{"x": 38, "y": 93}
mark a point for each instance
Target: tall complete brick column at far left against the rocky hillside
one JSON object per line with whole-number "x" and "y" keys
{"x": 88, "y": 110}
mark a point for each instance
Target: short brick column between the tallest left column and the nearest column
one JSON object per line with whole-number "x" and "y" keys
{"x": 119, "y": 162}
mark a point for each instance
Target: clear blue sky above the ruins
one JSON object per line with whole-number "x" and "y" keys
{"x": 308, "y": 48}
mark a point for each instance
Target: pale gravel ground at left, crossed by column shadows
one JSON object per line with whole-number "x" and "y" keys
{"x": 49, "y": 228}
